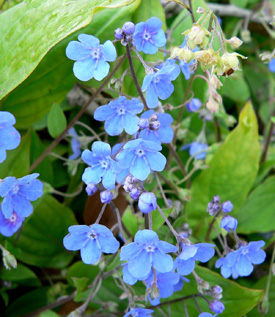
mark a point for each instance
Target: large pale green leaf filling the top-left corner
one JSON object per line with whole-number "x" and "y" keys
{"x": 30, "y": 29}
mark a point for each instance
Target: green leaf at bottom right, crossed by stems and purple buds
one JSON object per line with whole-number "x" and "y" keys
{"x": 238, "y": 300}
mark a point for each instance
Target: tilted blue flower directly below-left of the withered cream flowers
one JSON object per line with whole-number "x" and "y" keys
{"x": 158, "y": 84}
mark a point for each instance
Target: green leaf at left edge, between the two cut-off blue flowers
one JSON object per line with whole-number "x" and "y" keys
{"x": 18, "y": 161}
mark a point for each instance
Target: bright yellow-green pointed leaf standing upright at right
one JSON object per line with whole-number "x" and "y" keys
{"x": 231, "y": 171}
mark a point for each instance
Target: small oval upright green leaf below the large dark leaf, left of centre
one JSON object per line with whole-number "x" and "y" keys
{"x": 56, "y": 121}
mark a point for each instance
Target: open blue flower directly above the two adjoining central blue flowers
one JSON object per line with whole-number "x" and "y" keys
{"x": 120, "y": 114}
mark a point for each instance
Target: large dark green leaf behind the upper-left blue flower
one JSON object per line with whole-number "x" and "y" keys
{"x": 53, "y": 78}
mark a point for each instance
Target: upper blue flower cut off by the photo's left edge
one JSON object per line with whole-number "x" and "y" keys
{"x": 9, "y": 136}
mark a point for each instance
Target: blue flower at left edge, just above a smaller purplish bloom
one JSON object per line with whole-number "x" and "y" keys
{"x": 18, "y": 194}
